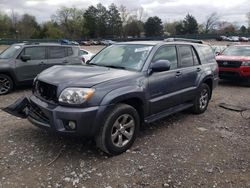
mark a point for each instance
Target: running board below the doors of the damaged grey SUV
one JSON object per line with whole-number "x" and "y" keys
{"x": 168, "y": 112}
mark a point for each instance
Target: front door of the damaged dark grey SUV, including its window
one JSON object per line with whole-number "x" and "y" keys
{"x": 164, "y": 86}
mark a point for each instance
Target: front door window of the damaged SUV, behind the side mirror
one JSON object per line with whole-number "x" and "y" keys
{"x": 167, "y": 53}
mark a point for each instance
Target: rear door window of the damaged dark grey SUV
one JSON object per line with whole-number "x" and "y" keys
{"x": 186, "y": 56}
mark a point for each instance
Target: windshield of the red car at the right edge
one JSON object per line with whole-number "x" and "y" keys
{"x": 237, "y": 51}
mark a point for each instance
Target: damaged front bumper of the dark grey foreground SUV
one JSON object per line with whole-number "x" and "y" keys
{"x": 56, "y": 118}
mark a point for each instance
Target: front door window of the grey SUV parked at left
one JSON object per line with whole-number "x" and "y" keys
{"x": 35, "y": 53}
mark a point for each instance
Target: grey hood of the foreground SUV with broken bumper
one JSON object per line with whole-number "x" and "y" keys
{"x": 81, "y": 76}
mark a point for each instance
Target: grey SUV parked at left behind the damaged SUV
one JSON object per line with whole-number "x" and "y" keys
{"x": 21, "y": 63}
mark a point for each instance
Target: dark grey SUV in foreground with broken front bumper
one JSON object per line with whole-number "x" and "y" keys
{"x": 125, "y": 85}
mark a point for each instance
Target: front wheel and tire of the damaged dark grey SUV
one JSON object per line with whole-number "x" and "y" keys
{"x": 119, "y": 130}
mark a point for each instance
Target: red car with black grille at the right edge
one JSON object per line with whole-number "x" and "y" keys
{"x": 234, "y": 62}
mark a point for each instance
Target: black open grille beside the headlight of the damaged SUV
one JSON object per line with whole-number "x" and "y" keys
{"x": 46, "y": 91}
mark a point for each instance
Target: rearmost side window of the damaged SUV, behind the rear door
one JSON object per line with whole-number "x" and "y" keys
{"x": 206, "y": 54}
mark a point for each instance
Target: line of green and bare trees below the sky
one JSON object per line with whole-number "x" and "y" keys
{"x": 112, "y": 22}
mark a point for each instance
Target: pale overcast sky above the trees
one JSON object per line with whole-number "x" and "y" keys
{"x": 168, "y": 10}
